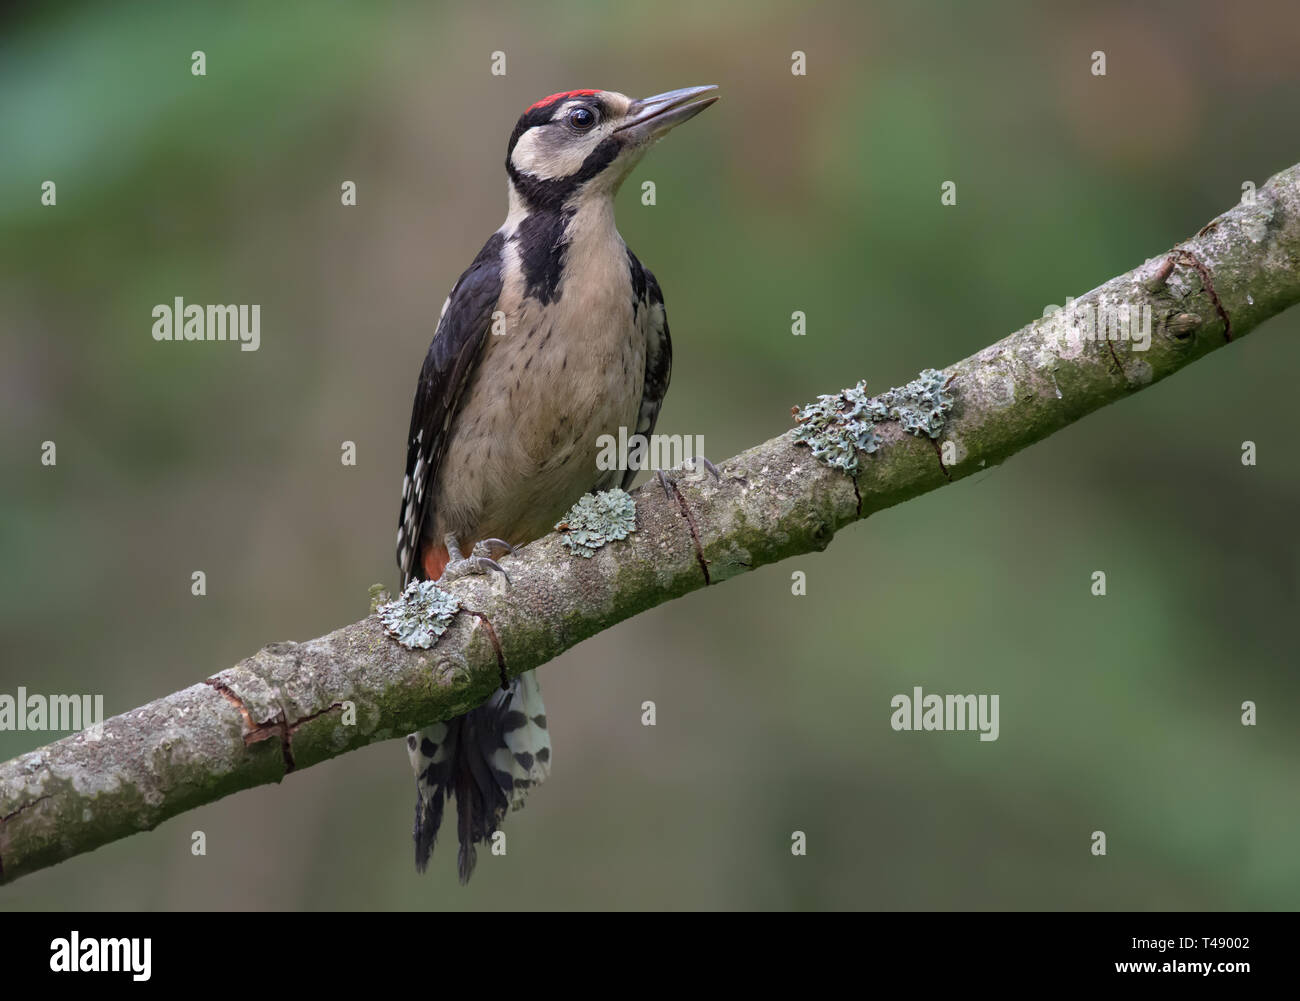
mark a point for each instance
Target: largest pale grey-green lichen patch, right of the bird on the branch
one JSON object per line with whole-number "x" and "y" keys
{"x": 838, "y": 427}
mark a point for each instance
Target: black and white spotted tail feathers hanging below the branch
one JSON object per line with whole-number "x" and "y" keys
{"x": 488, "y": 760}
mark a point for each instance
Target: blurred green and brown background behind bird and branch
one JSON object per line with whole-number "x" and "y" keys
{"x": 817, "y": 193}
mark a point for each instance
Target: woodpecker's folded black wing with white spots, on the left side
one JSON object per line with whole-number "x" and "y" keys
{"x": 453, "y": 358}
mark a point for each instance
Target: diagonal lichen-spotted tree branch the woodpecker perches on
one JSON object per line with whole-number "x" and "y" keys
{"x": 294, "y": 705}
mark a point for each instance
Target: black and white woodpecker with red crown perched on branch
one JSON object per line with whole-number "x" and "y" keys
{"x": 553, "y": 337}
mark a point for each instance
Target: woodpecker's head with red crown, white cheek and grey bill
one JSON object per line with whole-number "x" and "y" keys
{"x": 587, "y": 142}
